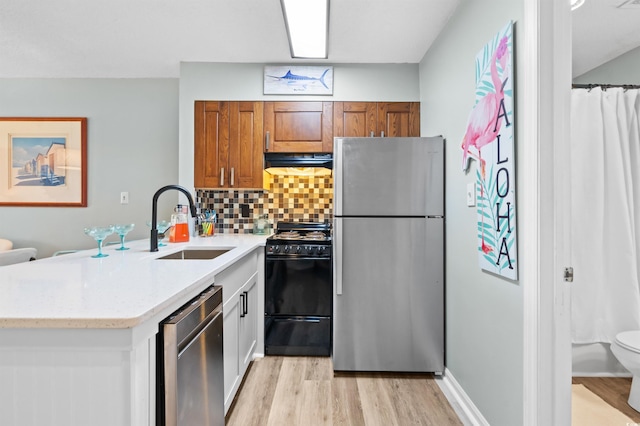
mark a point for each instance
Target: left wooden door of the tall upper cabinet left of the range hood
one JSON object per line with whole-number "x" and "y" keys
{"x": 211, "y": 144}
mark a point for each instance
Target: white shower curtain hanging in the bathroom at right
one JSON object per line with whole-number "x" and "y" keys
{"x": 605, "y": 213}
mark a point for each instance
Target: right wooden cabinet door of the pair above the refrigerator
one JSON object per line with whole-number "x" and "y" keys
{"x": 399, "y": 119}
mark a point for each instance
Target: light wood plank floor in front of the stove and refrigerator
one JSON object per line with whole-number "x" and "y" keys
{"x": 291, "y": 391}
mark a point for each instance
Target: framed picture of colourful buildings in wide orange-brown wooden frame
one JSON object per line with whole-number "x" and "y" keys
{"x": 43, "y": 161}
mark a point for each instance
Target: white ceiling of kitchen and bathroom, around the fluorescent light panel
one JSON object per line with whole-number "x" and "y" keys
{"x": 149, "y": 38}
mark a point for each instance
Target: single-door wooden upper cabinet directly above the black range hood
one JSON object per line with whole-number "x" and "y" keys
{"x": 298, "y": 126}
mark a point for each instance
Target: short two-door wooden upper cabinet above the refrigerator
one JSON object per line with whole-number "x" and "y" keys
{"x": 365, "y": 119}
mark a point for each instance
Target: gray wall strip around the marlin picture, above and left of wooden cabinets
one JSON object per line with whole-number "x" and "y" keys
{"x": 225, "y": 81}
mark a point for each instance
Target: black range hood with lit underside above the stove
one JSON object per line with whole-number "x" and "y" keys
{"x": 303, "y": 164}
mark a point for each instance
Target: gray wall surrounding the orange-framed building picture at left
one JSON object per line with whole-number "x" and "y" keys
{"x": 132, "y": 146}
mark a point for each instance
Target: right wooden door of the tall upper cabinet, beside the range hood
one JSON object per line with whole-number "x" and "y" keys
{"x": 245, "y": 145}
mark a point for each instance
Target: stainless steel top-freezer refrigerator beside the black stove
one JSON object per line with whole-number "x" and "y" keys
{"x": 388, "y": 251}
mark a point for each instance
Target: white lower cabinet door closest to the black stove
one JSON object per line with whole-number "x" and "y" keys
{"x": 249, "y": 323}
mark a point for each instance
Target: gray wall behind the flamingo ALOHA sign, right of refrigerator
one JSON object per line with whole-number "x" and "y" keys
{"x": 484, "y": 313}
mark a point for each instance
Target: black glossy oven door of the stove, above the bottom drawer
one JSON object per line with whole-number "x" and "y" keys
{"x": 298, "y": 286}
